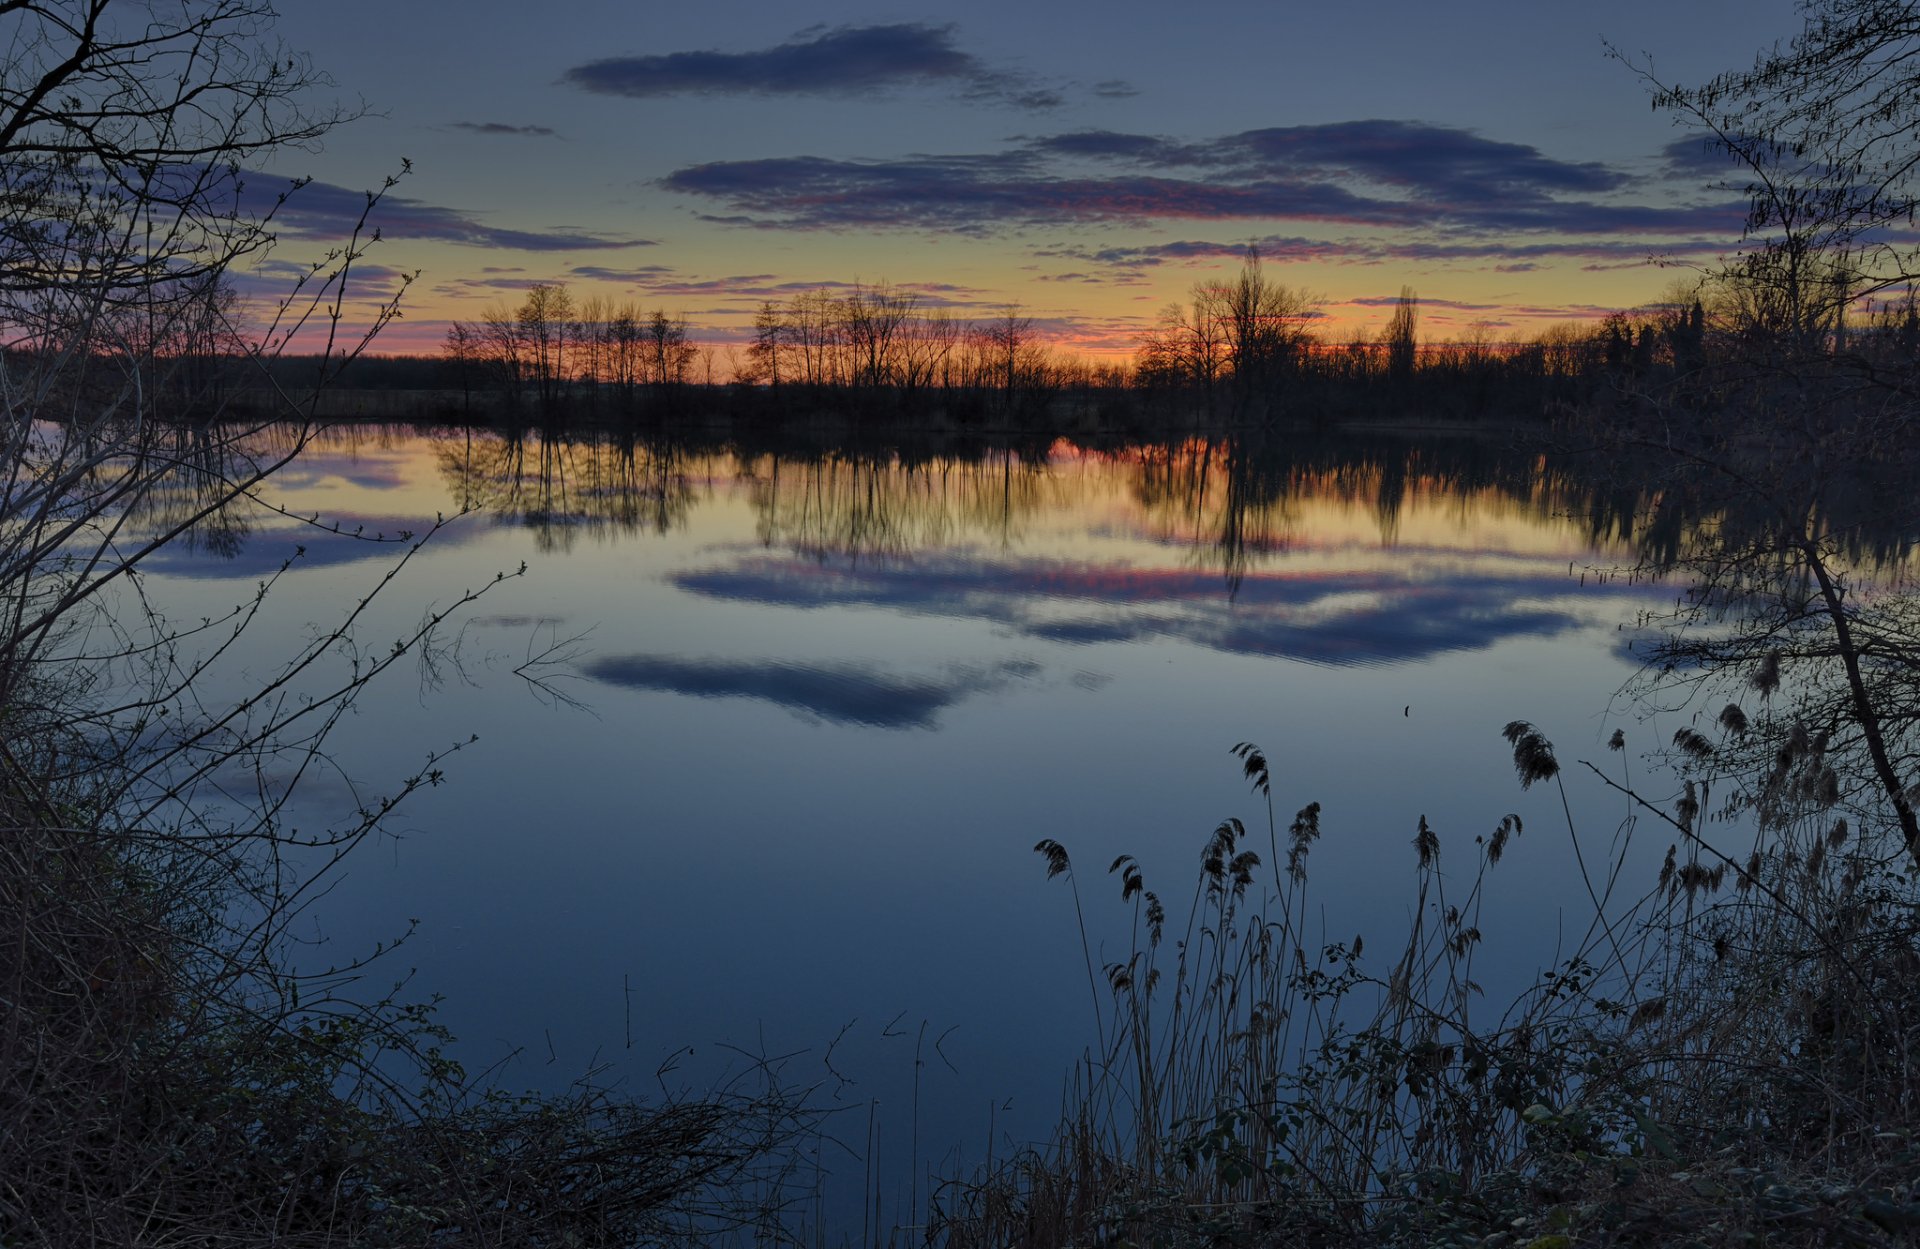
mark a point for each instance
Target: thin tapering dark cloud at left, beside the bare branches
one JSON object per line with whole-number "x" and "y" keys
{"x": 327, "y": 212}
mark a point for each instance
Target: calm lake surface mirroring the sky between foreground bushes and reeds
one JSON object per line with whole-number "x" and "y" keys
{"x": 809, "y": 715}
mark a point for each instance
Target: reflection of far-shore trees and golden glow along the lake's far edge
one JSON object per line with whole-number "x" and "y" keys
{"x": 1232, "y": 506}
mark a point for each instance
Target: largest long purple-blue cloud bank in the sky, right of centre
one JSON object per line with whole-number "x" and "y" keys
{"x": 1364, "y": 174}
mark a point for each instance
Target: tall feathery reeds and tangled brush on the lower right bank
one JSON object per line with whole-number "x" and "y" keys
{"x": 1725, "y": 1054}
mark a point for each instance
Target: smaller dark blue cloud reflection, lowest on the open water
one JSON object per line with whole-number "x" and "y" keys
{"x": 838, "y": 694}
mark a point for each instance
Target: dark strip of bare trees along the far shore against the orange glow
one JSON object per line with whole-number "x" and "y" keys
{"x": 1243, "y": 350}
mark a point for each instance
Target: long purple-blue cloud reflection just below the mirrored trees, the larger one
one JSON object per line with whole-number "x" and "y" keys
{"x": 1360, "y": 617}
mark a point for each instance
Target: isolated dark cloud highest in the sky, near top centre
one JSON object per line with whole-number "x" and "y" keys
{"x": 819, "y": 62}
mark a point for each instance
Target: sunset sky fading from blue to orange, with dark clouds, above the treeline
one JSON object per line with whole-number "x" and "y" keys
{"x": 1084, "y": 162}
